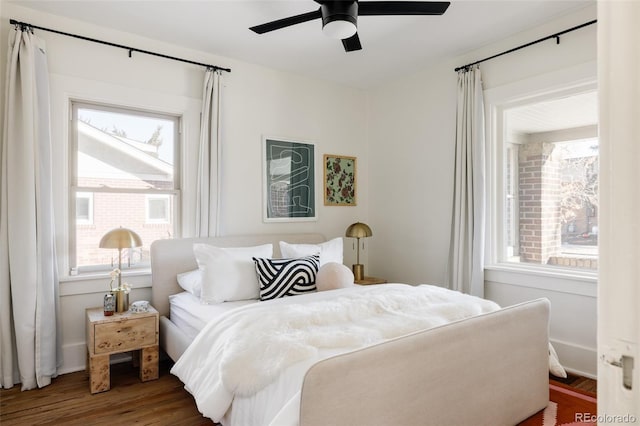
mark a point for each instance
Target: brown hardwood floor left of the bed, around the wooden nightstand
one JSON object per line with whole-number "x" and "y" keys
{"x": 67, "y": 401}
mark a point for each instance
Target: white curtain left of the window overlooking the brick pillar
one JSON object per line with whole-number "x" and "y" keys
{"x": 466, "y": 252}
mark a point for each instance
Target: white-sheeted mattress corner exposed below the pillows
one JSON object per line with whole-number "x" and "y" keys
{"x": 190, "y": 315}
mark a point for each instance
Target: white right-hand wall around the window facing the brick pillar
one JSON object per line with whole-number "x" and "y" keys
{"x": 412, "y": 135}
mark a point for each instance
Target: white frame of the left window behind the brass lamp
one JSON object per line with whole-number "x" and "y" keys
{"x": 74, "y": 188}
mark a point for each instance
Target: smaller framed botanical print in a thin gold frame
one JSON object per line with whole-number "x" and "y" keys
{"x": 339, "y": 180}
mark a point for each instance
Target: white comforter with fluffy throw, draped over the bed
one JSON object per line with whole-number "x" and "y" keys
{"x": 257, "y": 355}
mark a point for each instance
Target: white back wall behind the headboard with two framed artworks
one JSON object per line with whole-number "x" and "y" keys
{"x": 258, "y": 101}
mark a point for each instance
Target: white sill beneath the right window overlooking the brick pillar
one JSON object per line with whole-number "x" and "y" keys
{"x": 556, "y": 280}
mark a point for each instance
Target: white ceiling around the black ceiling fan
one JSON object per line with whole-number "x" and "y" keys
{"x": 392, "y": 45}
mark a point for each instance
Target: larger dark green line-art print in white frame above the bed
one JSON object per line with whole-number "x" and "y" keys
{"x": 289, "y": 185}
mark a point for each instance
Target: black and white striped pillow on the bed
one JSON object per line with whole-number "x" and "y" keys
{"x": 286, "y": 277}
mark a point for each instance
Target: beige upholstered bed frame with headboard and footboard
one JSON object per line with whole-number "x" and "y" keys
{"x": 486, "y": 370}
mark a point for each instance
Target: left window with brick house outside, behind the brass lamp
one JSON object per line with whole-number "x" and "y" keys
{"x": 124, "y": 168}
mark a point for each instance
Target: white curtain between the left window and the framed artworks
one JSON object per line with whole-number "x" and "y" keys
{"x": 208, "y": 181}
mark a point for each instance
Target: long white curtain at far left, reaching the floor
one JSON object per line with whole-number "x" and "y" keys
{"x": 29, "y": 342}
